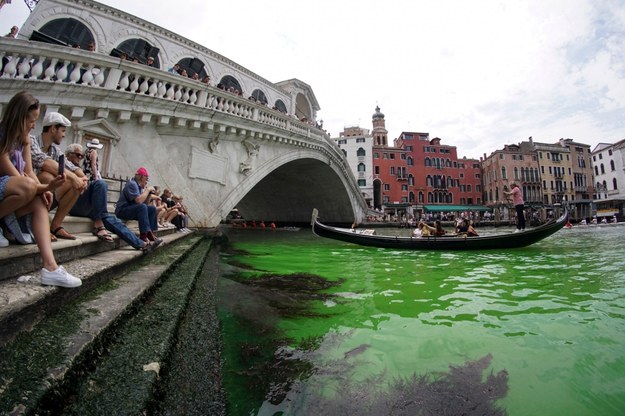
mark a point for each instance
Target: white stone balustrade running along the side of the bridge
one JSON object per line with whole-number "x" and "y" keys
{"x": 47, "y": 63}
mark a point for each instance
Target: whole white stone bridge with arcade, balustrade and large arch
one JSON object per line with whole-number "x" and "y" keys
{"x": 266, "y": 156}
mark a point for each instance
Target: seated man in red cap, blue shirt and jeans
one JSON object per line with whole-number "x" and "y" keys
{"x": 133, "y": 205}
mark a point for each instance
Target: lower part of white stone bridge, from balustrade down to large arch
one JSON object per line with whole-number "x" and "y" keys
{"x": 219, "y": 150}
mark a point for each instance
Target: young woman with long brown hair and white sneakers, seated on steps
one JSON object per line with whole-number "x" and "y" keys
{"x": 21, "y": 193}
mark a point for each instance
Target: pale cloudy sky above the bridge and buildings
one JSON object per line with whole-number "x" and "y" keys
{"x": 477, "y": 74}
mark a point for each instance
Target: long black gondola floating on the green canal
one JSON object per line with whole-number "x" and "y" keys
{"x": 459, "y": 242}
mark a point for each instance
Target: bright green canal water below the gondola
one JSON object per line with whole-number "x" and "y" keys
{"x": 551, "y": 315}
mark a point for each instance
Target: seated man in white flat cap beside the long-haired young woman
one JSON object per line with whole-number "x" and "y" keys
{"x": 45, "y": 152}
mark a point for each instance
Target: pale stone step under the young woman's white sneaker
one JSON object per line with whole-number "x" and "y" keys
{"x": 22, "y": 304}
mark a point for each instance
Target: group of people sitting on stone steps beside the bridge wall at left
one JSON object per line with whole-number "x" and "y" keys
{"x": 37, "y": 176}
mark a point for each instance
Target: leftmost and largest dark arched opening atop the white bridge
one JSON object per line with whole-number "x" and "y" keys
{"x": 66, "y": 31}
